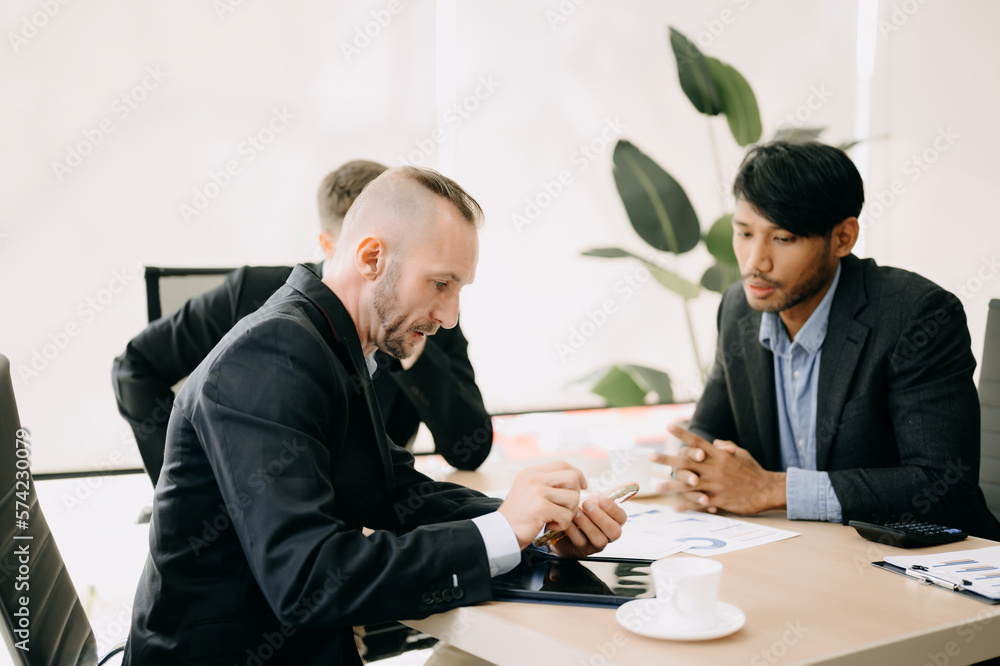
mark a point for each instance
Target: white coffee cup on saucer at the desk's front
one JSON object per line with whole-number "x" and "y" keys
{"x": 687, "y": 589}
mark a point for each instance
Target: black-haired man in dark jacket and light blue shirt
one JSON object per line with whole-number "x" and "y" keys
{"x": 841, "y": 390}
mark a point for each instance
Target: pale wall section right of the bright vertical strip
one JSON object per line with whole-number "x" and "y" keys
{"x": 935, "y": 97}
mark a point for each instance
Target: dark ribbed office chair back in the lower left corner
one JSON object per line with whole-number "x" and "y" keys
{"x": 56, "y": 629}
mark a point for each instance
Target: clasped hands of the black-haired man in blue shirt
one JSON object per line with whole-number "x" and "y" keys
{"x": 720, "y": 475}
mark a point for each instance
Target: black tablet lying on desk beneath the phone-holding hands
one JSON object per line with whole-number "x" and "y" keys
{"x": 592, "y": 582}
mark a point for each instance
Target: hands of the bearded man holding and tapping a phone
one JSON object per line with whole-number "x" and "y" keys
{"x": 549, "y": 496}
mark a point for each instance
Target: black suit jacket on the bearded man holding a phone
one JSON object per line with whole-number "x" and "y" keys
{"x": 276, "y": 458}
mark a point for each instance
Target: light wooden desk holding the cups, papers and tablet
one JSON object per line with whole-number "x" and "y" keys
{"x": 814, "y": 598}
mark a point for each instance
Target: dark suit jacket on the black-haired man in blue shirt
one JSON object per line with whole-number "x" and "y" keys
{"x": 897, "y": 423}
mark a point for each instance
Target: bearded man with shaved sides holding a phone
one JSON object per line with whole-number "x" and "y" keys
{"x": 276, "y": 459}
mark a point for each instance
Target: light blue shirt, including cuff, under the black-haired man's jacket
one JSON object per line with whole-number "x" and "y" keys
{"x": 809, "y": 492}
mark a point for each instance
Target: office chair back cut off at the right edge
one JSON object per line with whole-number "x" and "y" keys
{"x": 989, "y": 400}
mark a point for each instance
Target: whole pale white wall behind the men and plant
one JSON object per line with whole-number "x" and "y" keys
{"x": 556, "y": 86}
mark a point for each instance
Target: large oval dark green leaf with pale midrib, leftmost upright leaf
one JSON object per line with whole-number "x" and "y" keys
{"x": 657, "y": 205}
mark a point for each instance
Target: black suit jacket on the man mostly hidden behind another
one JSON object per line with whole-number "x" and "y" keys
{"x": 440, "y": 389}
